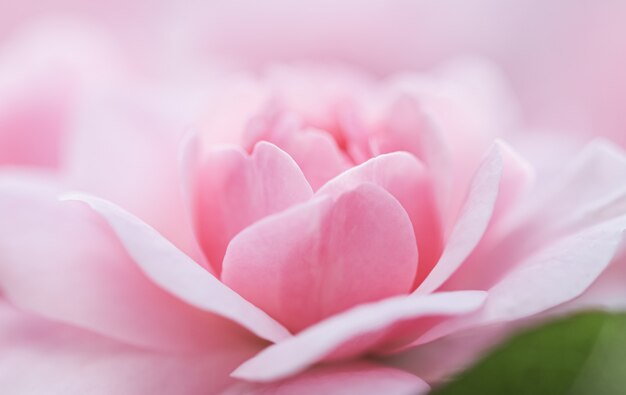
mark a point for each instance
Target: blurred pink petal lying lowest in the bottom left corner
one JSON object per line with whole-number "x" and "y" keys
{"x": 43, "y": 357}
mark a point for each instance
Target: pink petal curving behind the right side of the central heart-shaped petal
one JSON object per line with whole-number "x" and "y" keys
{"x": 403, "y": 176}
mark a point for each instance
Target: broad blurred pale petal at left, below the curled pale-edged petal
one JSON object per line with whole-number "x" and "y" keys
{"x": 63, "y": 262}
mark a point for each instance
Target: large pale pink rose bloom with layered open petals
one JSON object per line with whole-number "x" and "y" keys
{"x": 309, "y": 230}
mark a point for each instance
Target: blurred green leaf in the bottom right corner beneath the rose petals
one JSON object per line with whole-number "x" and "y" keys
{"x": 583, "y": 354}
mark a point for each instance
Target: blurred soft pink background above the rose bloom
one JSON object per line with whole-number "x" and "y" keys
{"x": 565, "y": 59}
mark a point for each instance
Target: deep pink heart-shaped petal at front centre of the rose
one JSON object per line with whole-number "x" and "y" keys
{"x": 324, "y": 256}
